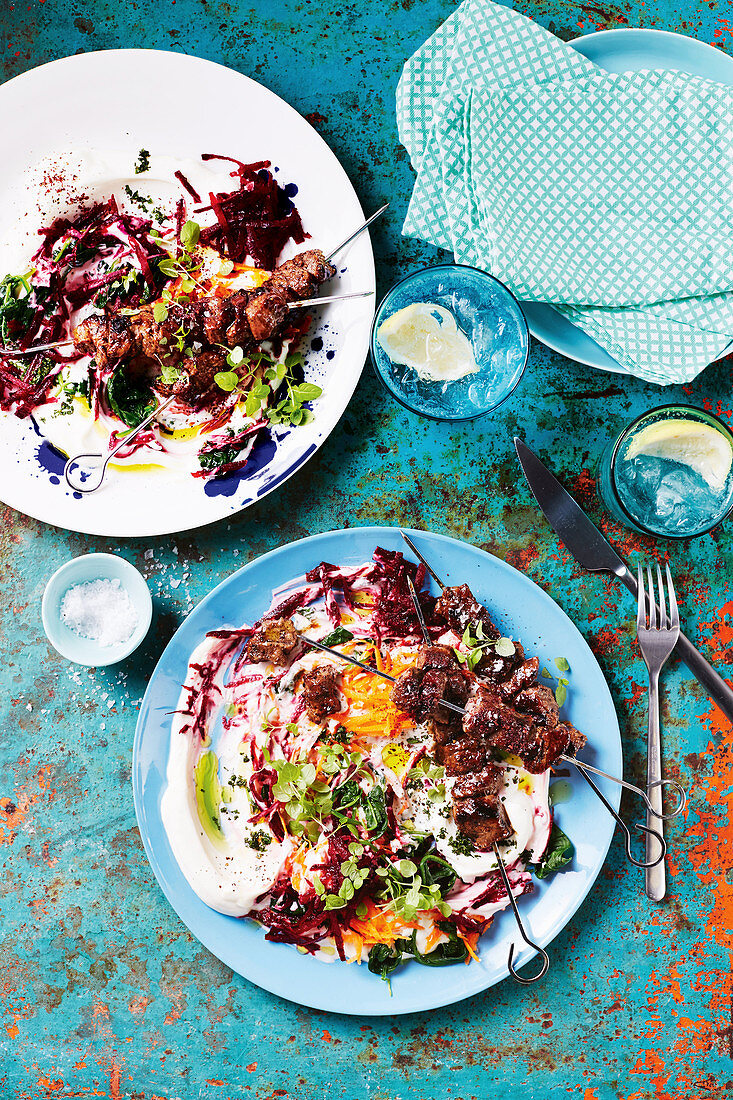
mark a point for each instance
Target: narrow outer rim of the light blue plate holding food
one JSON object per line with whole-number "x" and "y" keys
{"x": 315, "y": 998}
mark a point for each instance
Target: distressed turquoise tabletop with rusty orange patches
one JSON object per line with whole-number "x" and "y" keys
{"x": 104, "y": 992}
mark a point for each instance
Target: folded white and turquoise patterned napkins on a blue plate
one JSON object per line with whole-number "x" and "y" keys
{"x": 608, "y": 196}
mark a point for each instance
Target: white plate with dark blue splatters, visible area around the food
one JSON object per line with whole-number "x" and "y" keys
{"x": 181, "y": 106}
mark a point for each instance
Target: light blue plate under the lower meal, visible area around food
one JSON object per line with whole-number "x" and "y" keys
{"x": 523, "y": 611}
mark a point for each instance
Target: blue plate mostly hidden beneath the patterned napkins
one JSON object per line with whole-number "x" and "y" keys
{"x": 626, "y": 50}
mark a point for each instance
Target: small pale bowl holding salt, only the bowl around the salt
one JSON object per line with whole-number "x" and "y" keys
{"x": 94, "y": 567}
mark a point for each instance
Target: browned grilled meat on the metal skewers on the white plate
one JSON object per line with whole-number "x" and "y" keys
{"x": 243, "y": 318}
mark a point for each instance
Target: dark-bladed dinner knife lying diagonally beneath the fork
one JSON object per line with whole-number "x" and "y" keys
{"x": 594, "y": 552}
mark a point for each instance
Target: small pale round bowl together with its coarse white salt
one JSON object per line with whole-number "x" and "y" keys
{"x": 96, "y": 610}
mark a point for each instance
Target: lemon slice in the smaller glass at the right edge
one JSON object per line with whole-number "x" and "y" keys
{"x": 692, "y": 444}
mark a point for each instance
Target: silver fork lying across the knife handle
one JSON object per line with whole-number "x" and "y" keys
{"x": 657, "y": 641}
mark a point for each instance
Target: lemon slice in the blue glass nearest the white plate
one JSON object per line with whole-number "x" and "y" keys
{"x": 426, "y": 338}
